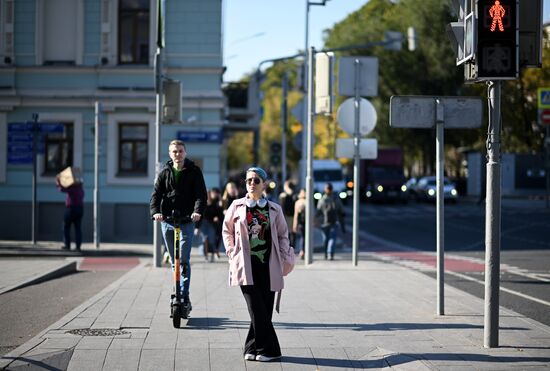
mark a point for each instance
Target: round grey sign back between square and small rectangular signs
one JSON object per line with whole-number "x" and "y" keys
{"x": 367, "y": 116}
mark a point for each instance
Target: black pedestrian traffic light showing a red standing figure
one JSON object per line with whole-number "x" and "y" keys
{"x": 497, "y": 54}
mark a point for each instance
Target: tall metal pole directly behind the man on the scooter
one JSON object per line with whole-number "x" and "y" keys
{"x": 157, "y": 253}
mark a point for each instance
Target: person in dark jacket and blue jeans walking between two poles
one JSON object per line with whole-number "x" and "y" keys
{"x": 331, "y": 212}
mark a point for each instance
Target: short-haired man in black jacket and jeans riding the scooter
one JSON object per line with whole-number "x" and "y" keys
{"x": 179, "y": 186}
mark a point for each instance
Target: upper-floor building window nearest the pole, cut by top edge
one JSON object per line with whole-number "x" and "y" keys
{"x": 133, "y": 31}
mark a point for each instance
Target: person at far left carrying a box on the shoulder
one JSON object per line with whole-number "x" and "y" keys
{"x": 74, "y": 210}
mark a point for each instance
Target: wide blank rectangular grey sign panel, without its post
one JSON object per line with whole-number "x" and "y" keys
{"x": 420, "y": 111}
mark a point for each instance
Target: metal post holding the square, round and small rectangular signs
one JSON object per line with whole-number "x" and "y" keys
{"x": 356, "y": 162}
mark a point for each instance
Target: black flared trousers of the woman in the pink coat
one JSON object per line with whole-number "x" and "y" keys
{"x": 261, "y": 338}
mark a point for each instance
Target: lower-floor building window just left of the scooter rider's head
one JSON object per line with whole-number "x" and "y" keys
{"x": 133, "y": 150}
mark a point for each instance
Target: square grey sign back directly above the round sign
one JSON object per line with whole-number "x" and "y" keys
{"x": 368, "y": 79}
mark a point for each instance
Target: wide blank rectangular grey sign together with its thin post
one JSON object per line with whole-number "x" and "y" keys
{"x": 443, "y": 112}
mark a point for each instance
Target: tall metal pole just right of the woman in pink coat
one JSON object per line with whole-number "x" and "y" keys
{"x": 310, "y": 212}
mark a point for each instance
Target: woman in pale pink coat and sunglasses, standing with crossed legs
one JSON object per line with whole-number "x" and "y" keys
{"x": 255, "y": 235}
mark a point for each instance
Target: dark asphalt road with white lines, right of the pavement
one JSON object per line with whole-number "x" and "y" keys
{"x": 525, "y": 247}
